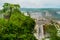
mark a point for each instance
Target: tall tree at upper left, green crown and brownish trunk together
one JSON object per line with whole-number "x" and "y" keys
{"x": 10, "y": 8}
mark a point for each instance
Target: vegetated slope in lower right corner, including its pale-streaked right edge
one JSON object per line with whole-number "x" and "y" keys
{"x": 52, "y": 30}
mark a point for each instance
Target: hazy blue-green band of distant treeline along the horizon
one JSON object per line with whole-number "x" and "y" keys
{"x": 40, "y": 9}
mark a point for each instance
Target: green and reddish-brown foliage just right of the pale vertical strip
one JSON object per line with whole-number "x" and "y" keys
{"x": 51, "y": 29}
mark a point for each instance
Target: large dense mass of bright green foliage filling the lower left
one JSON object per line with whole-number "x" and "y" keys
{"x": 19, "y": 27}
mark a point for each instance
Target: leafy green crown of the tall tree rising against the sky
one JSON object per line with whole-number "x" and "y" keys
{"x": 7, "y": 7}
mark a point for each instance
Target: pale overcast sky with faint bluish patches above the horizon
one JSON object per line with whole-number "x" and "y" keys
{"x": 34, "y": 3}
